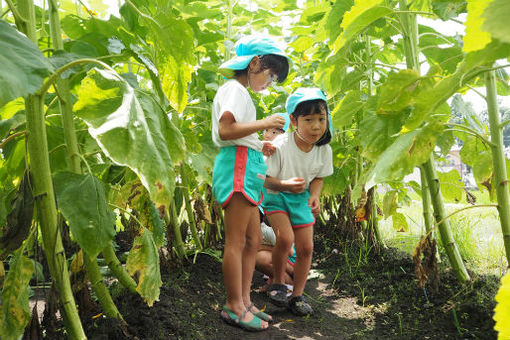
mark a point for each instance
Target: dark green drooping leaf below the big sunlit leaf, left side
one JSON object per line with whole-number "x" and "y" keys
{"x": 82, "y": 201}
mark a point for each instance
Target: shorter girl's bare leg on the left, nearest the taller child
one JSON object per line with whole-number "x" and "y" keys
{"x": 284, "y": 239}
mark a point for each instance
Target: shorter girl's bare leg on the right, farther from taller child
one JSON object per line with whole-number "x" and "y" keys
{"x": 304, "y": 250}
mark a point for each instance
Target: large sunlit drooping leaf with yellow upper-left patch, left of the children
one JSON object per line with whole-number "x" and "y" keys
{"x": 132, "y": 130}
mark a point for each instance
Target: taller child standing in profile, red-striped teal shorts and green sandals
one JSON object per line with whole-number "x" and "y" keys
{"x": 239, "y": 169}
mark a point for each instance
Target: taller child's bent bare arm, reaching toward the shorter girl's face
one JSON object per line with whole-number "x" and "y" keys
{"x": 230, "y": 129}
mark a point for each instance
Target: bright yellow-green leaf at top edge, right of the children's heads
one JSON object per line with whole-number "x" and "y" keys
{"x": 361, "y": 15}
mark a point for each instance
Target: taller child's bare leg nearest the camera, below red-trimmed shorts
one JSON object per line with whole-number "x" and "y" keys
{"x": 237, "y": 217}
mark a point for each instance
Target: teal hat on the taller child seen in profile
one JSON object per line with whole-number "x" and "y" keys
{"x": 248, "y": 47}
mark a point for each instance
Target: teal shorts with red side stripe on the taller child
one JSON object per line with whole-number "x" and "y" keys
{"x": 238, "y": 169}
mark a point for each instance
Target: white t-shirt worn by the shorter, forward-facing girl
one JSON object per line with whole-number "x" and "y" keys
{"x": 290, "y": 161}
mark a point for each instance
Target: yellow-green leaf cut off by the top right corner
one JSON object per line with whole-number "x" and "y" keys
{"x": 496, "y": 20}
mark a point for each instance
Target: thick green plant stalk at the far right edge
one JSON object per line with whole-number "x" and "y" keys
{"x": 498, "y": 161}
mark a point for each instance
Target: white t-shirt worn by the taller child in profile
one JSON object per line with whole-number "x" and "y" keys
{"x": 234, "y": 97}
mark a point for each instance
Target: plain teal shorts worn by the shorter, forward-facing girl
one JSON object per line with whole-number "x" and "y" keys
{"x": 293, "y": 205}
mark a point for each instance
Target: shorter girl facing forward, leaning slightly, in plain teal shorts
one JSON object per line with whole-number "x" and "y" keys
{"x": 294, "y": 182}
